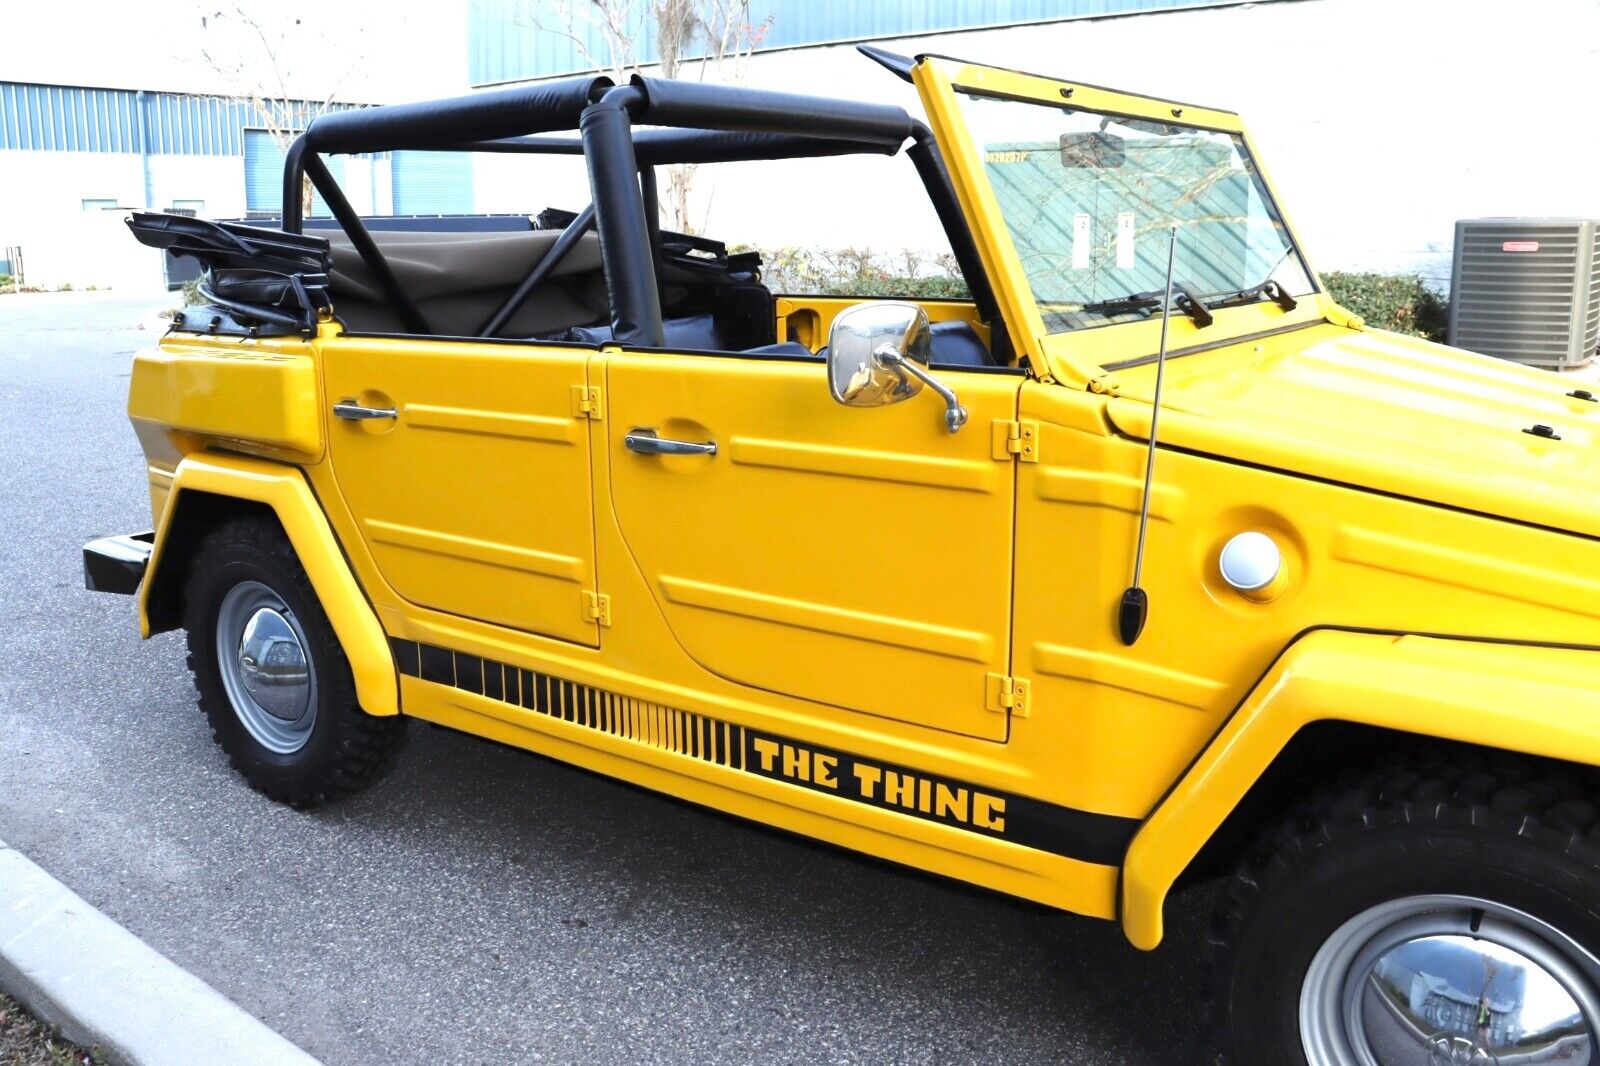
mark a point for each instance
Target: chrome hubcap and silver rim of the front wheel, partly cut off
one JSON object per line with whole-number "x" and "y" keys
{"x": 1450, "y": 982}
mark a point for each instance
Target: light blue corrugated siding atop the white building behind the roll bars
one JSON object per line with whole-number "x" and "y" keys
{"x": 506, "y": 41}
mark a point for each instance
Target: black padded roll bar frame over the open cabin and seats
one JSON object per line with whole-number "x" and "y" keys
{"x": 705, "y": 124}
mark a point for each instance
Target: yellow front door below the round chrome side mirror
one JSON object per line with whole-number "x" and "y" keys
{"x": 858, "y": 558}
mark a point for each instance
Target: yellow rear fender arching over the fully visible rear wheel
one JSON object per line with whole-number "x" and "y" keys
{"x": 286, "y": 492}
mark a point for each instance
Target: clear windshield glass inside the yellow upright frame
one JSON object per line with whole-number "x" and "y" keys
{"x": 1090, "y": 199}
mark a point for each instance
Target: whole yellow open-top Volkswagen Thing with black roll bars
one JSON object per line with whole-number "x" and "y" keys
{"x": 1145, "y": 566}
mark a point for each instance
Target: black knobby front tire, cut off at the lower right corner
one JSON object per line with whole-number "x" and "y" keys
{"x": 1516, "y": 833}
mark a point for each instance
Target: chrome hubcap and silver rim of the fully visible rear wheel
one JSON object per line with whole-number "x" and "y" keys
{"x": 266, "y": 671}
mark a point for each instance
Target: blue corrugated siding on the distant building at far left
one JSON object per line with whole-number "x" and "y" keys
{"x": 68, "y": 119}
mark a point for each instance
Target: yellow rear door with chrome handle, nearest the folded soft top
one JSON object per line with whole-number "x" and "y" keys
{"x": 476, "y": 497}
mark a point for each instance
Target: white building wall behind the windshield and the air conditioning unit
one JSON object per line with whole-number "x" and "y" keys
{"x": 1380, "y": 121}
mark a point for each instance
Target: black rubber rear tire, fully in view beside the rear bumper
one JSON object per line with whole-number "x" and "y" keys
{"x": 346, "y": 748}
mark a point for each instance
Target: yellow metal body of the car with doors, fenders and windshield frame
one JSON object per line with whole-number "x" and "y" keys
{"x": 873, "y": 631}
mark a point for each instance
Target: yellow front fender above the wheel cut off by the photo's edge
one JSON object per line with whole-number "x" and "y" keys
{"x": 1524, "y": 699}
